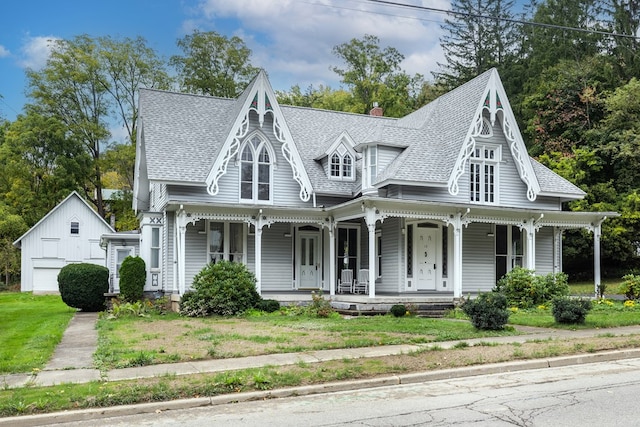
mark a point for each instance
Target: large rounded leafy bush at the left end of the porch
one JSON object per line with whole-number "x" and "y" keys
{"x": 224, "y": 288}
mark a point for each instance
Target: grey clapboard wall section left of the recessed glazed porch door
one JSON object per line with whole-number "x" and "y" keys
{"x": 277, "y": 265}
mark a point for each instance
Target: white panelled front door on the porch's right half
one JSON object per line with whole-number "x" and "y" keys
{"x": 426, "y": 238}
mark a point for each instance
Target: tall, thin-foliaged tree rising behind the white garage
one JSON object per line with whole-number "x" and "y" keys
{"x": 88, "y": 84}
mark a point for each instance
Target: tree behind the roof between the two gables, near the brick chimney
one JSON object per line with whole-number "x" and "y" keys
{"x": 374, "y": 75}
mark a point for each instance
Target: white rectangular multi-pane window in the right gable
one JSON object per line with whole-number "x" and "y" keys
{"x": 483, "y": 174}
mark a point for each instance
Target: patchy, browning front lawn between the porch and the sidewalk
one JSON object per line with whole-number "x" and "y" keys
{"x": 137, "y": 341}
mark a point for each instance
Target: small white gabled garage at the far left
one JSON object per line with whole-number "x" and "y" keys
{"x": 69, "y": 233}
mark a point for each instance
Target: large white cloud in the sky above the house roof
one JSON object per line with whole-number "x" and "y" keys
{"x": 293, "y": 40}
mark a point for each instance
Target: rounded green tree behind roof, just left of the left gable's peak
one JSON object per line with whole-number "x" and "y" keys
{"x": 213, "y": 64}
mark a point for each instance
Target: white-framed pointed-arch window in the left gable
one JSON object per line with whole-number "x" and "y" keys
{"x": 256, "y": 170}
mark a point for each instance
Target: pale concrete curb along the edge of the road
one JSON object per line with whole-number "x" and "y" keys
{"x": 390, "y": 380}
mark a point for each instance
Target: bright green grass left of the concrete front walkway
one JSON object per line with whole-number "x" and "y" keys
{"x": 32, "y": 326}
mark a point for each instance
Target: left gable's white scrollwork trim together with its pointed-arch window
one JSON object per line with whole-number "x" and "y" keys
{"x": 249, "y": 147}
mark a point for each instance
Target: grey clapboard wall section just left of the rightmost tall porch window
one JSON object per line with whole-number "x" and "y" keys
{"x": 478, "y": 259}
